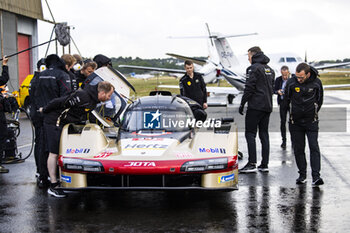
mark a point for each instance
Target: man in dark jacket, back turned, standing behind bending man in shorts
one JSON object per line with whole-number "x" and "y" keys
{"x": 54, "y": 82}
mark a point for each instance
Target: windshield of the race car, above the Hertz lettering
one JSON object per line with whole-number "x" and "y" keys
{"x": 173, "y": 121}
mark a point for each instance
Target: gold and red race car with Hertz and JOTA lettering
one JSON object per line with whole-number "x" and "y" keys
{"x": 158, "y": 145}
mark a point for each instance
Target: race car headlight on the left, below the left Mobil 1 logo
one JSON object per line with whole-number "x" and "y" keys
{"x": 82, "y": 165}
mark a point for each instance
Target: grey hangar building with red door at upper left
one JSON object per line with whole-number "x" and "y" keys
{"x": 19, "y": 30}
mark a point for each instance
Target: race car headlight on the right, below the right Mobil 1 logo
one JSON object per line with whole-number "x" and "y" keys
{"x": 204, "y": 165}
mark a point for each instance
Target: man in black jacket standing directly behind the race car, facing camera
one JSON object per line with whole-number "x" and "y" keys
{"x": 193, "y": 86}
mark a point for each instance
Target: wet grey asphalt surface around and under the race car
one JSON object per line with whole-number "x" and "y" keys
{"x": 265, "y": 202}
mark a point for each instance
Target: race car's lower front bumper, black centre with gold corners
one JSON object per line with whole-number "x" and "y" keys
{"x": 227, "y": 180}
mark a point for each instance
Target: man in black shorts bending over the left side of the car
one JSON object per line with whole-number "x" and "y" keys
{"x": 69, "y": 109}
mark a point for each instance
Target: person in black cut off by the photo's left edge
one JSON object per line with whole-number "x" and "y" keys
{"x": 3, "y": 126}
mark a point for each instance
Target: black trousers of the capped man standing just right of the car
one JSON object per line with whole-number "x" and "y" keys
{"x": 255, "y": 120}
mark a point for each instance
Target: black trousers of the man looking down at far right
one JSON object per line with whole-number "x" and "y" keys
{"x": 298, "y": 132}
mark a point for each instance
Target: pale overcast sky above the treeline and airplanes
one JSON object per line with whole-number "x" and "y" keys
{"x": 140, "y": 28}
